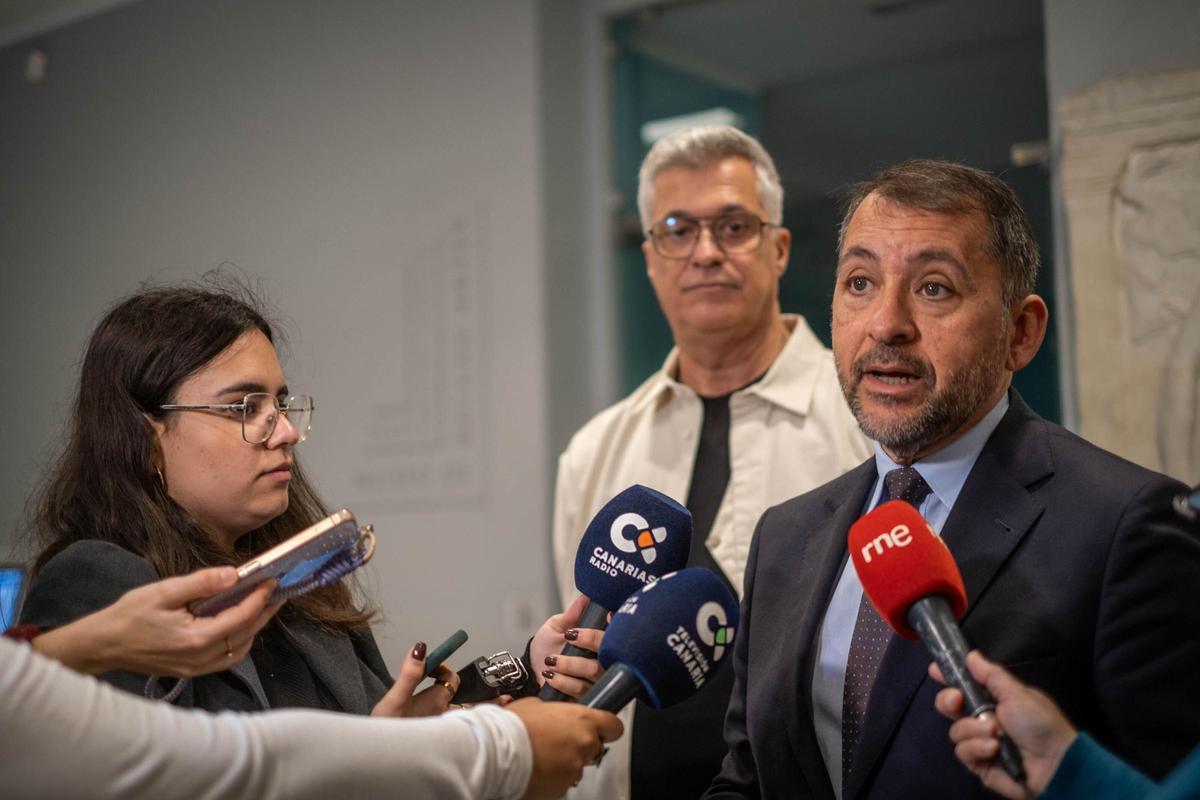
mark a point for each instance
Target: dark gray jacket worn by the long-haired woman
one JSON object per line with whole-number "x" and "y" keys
{"x": 91, "y": 575}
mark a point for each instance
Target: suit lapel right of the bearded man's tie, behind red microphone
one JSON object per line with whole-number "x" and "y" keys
{"x": 992, "y": 515}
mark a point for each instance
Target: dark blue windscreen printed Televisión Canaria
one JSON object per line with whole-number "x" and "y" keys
{"x": 674, "y": 634}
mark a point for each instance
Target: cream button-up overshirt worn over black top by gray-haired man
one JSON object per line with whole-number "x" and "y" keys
{"x": 789, "y": 434}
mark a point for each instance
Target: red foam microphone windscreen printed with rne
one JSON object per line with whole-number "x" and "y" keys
{"x": 899, "y": 561}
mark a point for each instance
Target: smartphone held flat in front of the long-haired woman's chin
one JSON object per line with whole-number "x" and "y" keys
{"x": 290, "y": 562}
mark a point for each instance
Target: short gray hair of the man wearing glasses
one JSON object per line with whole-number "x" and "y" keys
{"x": 703, "y": 147}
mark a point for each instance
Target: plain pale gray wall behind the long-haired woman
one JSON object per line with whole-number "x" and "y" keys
{"x": 377, "y": 167}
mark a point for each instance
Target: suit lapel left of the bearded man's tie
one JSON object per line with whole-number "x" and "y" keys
{"x": 821, "y": 558}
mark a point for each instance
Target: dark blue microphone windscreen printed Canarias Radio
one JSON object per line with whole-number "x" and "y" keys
{"x": 635, "y": 539}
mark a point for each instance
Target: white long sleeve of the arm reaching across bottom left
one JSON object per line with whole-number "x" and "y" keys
{"x": 69, "y": 736}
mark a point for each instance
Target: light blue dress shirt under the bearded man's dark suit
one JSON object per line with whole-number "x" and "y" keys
{"x": 946, "y": 472}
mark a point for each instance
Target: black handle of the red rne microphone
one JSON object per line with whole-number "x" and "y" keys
{"x": 940, "y": 631}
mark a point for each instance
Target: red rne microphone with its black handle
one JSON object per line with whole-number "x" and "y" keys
{"x": 911, "y": 579}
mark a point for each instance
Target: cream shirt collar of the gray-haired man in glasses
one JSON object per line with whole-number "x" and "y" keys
{"x": 789, "y": 383}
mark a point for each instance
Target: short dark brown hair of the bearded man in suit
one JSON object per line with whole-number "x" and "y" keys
{"x": 946, "y": 188}
